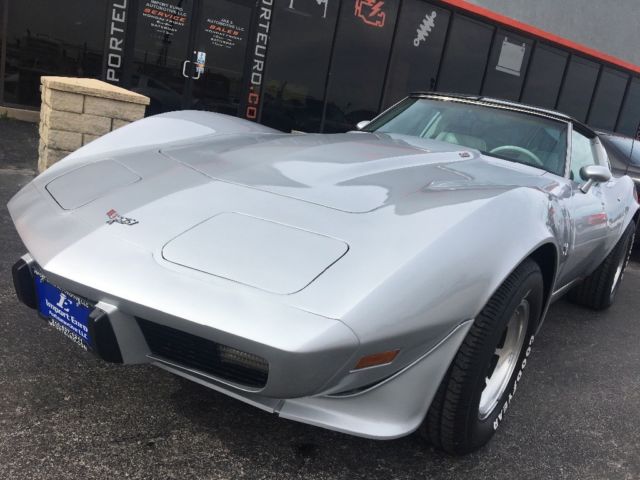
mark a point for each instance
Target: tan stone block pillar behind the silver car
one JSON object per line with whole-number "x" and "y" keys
{"x": 76, "y": 111}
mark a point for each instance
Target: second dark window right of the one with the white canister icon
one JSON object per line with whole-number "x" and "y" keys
{"x": 578, "y": 87}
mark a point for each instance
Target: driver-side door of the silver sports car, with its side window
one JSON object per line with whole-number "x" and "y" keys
{"x": 589, "y": 213}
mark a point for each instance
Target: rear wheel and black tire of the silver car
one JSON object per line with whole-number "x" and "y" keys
{"x": 598, "y": 290}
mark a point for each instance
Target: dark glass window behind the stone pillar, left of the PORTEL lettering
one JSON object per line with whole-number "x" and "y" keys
{"x": 64, "y": 37}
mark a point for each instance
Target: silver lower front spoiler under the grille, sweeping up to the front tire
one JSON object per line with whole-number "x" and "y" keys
{"x": 392, "y": 408}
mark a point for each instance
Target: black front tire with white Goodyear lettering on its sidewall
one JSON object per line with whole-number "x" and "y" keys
{"x": 454, "y": 422}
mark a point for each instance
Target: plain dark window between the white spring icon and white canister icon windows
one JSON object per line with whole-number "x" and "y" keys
{"x": 466, "y": 55}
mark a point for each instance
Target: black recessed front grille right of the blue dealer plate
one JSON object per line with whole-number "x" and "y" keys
{"x": 205, "y": 355}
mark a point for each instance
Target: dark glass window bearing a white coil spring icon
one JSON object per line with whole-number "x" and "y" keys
{"x": 417, "y": 49}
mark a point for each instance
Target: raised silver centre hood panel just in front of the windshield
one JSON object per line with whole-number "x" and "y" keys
{"x": 353, "y": 172}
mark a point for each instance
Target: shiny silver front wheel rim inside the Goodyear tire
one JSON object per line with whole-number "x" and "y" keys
{"x": 505, "y": 359}
